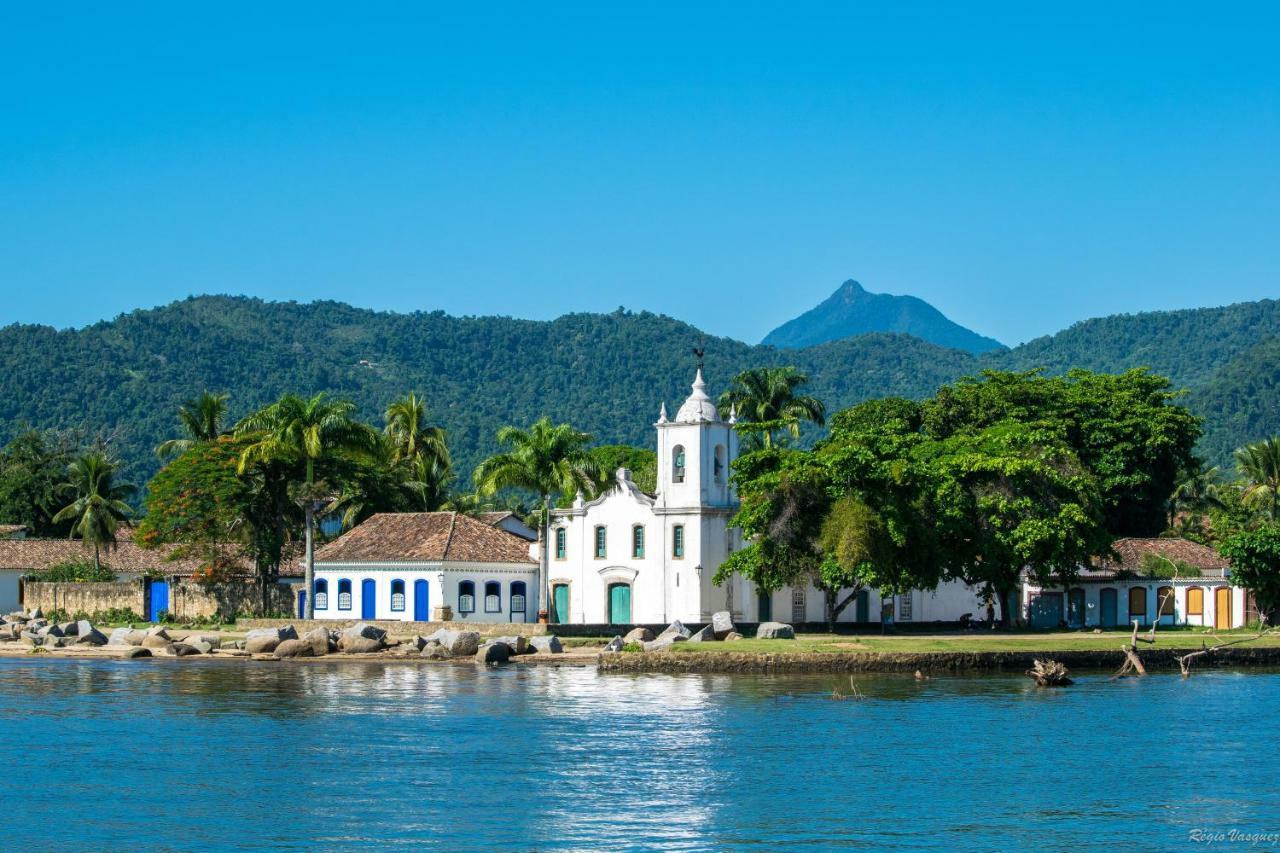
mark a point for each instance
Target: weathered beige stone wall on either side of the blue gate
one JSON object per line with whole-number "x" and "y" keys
{"x": 186, "y": 600}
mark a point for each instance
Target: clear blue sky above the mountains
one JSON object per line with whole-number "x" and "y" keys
{"x": 1017, "y": 166}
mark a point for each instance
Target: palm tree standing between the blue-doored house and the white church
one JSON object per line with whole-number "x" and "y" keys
{"x": 547, "y": 460}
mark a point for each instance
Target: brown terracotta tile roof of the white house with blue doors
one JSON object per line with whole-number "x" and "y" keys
{"x": 412, "y": 537}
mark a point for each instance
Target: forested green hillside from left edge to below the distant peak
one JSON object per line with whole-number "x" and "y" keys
{"x": 604, "y": 373}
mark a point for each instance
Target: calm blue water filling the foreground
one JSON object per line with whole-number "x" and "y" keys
{"x": 226, "y": 756}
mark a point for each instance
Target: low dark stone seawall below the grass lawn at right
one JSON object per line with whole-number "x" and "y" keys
{"x": 1163, "y": 659}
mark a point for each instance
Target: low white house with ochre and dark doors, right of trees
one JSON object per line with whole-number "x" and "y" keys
{"x": 1123, "y": 590}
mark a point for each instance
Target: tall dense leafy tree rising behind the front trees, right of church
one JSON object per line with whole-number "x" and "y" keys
{"x": 1127, "y": 430}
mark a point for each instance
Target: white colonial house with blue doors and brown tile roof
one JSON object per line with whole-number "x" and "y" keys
{"x": 428, "y": 567}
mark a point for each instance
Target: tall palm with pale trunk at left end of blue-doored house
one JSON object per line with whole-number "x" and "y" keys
{"x": 299, "y": 431}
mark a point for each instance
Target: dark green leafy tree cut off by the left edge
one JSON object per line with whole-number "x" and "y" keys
{"x": 33, "y": 476}
